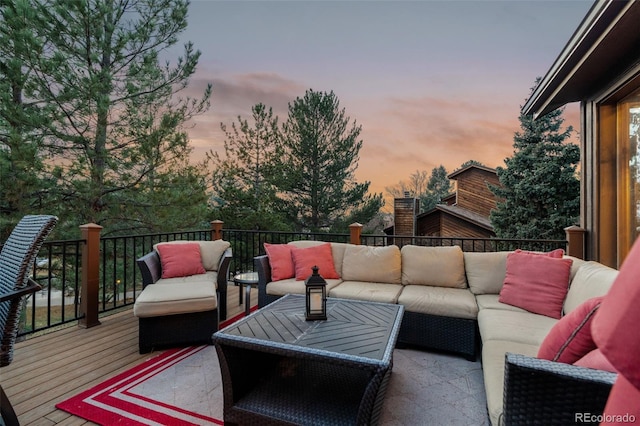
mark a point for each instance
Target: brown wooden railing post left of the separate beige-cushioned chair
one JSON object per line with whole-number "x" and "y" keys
{"x": 90, "y": 275}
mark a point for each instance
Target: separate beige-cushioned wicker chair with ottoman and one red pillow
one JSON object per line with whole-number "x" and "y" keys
{"x": 179, "y": 306}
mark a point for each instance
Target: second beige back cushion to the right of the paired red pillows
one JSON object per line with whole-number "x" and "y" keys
{"x": 433, "y": 266}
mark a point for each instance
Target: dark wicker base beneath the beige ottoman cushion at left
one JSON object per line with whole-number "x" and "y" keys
{"x": 177, "y": 330}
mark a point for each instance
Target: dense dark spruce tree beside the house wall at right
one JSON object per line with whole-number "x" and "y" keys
{"x": 539, "y": 194}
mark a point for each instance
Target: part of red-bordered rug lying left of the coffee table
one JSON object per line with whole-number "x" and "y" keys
{"x": 178, "y": 387}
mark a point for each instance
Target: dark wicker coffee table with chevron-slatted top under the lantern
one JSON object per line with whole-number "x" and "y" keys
{"x": 278, "y": 368}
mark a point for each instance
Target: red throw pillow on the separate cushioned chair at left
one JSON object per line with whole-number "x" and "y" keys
{"x": 180, "y": 260}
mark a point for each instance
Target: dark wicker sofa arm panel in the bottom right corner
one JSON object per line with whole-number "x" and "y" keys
{"x": 545, "y": 393}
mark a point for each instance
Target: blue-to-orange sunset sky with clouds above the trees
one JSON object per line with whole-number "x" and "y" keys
{"x": 431, "y": 82}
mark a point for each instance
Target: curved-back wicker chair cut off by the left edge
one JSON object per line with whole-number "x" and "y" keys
{"x": 16, "y": 260}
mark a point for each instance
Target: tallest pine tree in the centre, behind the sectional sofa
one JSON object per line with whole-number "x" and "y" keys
{"x": 319, "y": 158}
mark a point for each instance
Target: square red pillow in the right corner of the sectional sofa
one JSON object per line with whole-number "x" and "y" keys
{"x": 536, "y": 283}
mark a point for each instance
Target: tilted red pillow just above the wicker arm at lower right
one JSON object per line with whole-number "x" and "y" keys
{"x": 570, "y": 338}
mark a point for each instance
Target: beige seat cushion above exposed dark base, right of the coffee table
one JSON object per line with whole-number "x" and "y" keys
{"x": 443, "y": 301}
